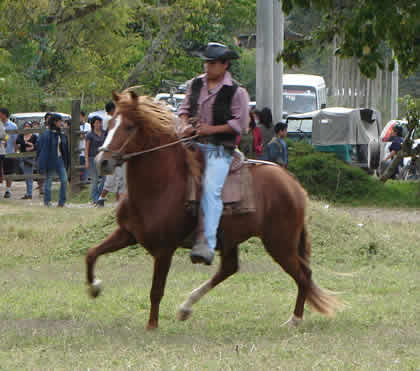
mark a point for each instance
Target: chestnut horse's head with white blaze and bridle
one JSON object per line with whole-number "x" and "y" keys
{"x": 137, "y": 125}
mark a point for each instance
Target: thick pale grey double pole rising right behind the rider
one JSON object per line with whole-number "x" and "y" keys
{"x": 270, "y": 36}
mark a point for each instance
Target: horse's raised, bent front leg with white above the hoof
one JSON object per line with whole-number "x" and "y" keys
{"x": 119, "y": 239}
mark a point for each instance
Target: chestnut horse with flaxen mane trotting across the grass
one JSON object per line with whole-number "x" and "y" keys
{"x": 154, "y": 214}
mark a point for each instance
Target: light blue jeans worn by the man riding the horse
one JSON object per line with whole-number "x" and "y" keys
{"x": 218, "y": 162}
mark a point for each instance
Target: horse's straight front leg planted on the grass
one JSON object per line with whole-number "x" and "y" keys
{"x": 161, "y": 269}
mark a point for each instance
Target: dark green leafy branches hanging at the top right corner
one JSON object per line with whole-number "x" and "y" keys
{"x": 367, "y": 30}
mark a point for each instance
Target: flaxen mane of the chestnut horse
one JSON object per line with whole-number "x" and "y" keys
{"x": 156, "y": 121}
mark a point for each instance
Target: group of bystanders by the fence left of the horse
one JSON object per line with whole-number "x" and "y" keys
{"x": 52, "y": 157}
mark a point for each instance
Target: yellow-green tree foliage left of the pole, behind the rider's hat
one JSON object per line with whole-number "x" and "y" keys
{"x": 62, "y": 49}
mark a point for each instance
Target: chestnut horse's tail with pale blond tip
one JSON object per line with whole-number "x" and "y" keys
{"x": 319, "y": 299}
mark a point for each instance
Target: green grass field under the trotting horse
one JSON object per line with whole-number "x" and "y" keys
{"x": 47, "y": 322}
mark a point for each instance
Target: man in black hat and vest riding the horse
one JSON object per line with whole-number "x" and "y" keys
{"x": 220, "y": 107}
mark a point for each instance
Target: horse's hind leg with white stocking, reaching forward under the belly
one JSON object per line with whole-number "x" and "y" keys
{"x": 228, "y": 266}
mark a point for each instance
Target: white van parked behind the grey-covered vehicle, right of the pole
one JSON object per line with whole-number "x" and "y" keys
{"x": 303, "y": 93}
